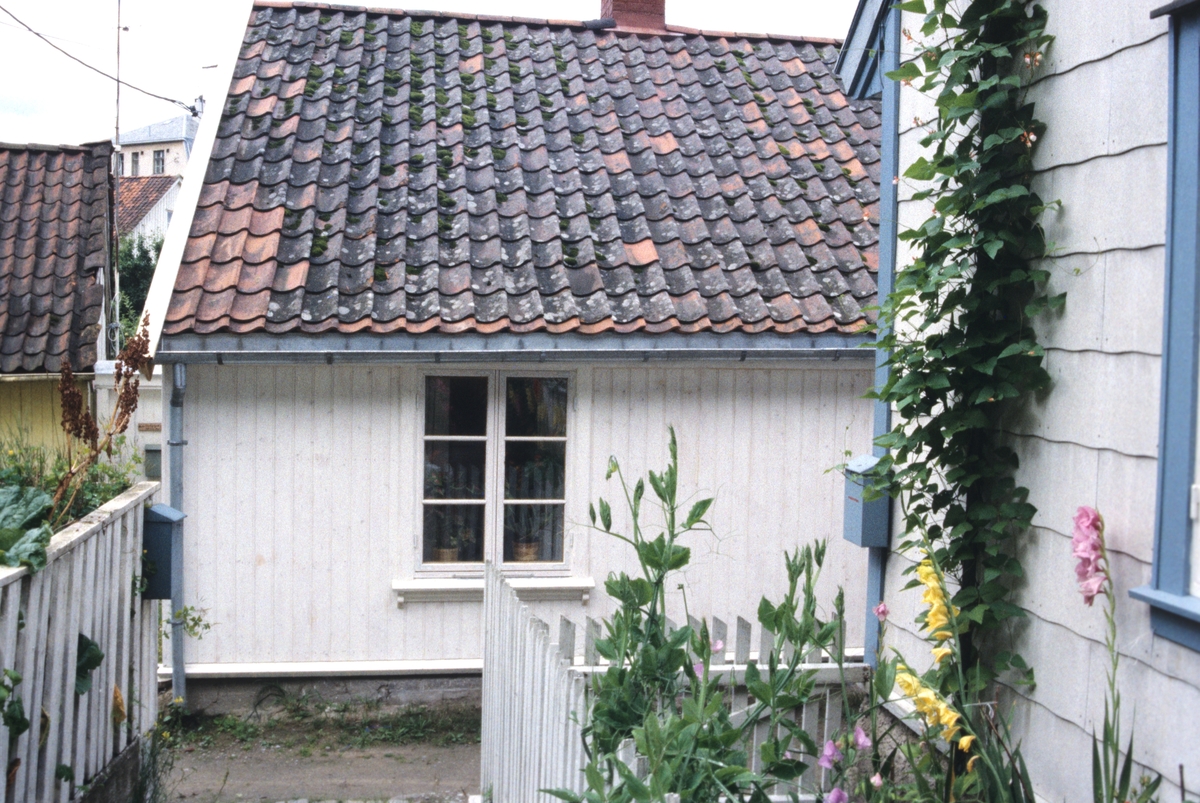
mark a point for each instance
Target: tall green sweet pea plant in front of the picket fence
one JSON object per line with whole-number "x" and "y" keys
{"x": 661, "y": 693}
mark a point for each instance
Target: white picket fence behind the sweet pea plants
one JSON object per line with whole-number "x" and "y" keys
{"x": 536, "y": 693}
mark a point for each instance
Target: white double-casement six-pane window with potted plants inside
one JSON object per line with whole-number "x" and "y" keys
{"x": 495, "y": 454}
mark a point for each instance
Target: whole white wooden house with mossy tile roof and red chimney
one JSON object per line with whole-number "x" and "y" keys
{"x": 439, "y": 268}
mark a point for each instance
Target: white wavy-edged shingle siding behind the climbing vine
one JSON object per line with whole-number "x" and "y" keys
{"x": 1093, "y": 440}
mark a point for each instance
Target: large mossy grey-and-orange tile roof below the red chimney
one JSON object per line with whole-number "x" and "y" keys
{"x": 381, "y": 171}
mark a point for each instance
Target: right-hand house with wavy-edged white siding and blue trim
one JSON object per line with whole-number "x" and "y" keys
{"x": 1120, "y": 93}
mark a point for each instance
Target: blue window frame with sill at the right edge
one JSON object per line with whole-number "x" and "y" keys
{"x": 1172, "y": 594}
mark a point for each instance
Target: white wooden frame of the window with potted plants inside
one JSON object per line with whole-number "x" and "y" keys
{"x": 494, "y": 494}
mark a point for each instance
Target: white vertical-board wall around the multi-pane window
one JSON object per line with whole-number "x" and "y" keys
{"x": 303, "y": 492}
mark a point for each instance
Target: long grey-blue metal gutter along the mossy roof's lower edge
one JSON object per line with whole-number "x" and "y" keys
{"x": 466, "y": 347}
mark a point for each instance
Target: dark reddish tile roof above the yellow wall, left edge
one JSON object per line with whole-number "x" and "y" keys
{"x": 56, "y": 218}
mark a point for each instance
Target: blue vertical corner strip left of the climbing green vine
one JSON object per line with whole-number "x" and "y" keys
{"x": 878, "y": 558}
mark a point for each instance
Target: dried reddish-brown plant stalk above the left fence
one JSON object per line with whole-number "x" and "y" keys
{"x": 81, "y": 427}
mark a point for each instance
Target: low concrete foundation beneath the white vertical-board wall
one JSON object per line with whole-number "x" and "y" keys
{"x": 241, "y": 697}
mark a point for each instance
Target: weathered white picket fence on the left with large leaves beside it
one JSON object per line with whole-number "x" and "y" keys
{"x": 87, "y": 588}
